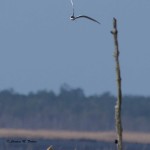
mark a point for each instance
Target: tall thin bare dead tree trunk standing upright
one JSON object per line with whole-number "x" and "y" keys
{"x": 119, "y": 92}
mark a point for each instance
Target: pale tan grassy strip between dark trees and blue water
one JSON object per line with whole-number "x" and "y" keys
{"x": 106, "y": 136}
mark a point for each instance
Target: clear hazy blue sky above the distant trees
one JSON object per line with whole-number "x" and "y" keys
{"x": 40, "y": 48}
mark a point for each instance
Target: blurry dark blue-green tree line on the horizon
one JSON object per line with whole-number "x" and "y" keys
{"x": 71, "y": 109}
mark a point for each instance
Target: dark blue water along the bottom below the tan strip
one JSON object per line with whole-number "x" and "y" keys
{"x": 42, "y": 144}
